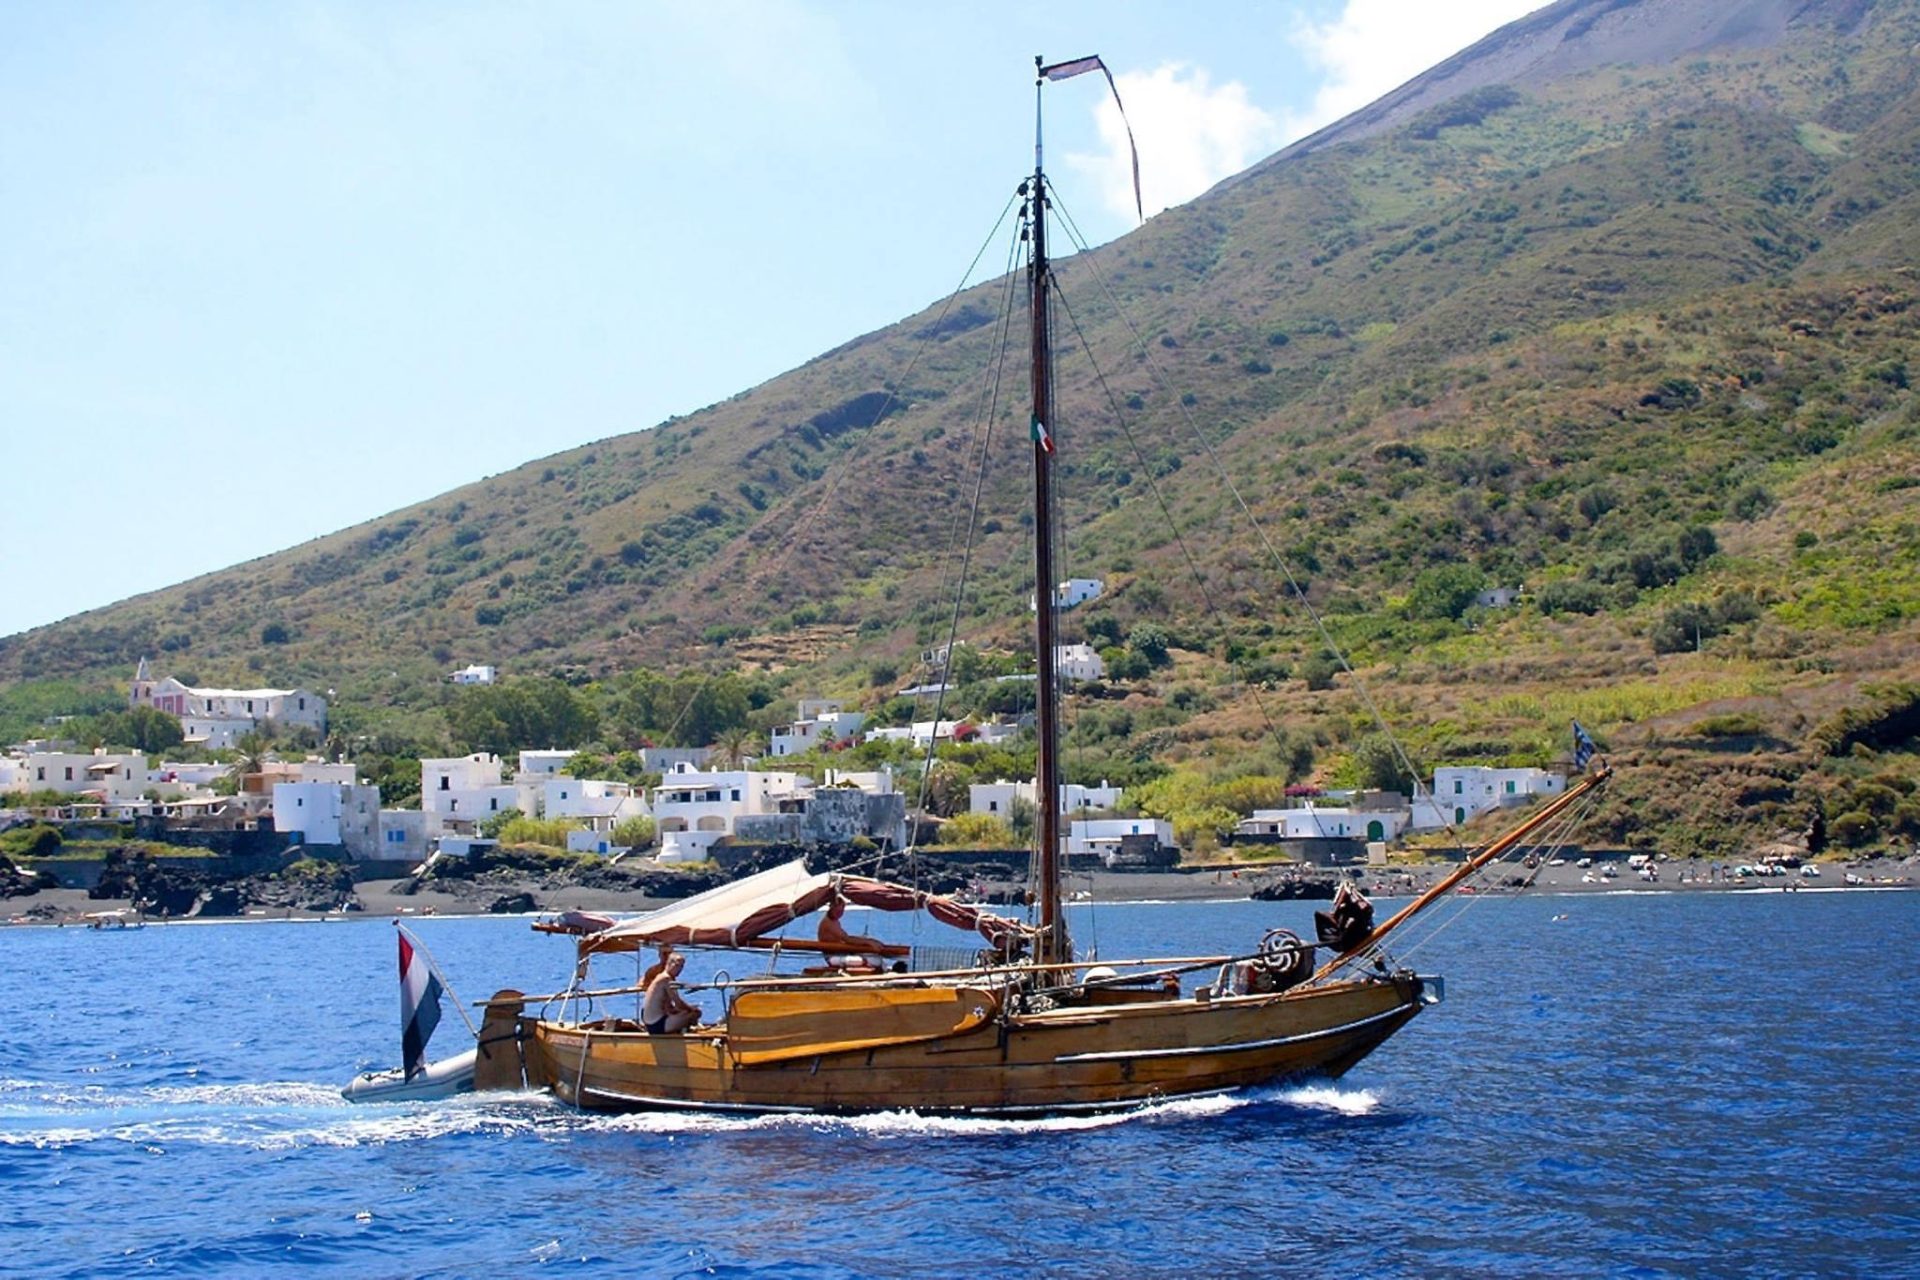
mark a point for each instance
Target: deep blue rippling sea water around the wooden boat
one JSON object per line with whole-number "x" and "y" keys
{"x": 1635, "y": 1085}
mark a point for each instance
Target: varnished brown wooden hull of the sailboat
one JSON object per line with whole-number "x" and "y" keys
{"x": 1065, "y": 1060}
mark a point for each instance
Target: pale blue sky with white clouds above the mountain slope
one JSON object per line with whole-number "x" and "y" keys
{"x": 276, "y": 270}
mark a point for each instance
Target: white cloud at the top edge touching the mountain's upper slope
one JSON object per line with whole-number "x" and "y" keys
{"x": 1380, "y": 45}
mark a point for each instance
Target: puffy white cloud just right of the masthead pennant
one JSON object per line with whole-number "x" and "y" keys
{"x": 1191, "y": 135}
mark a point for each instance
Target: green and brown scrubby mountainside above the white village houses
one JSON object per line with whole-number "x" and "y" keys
{"x": 1631, "y": 335}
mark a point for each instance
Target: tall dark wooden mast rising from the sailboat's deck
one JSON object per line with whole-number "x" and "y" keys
{"x": 1053, "y": 943}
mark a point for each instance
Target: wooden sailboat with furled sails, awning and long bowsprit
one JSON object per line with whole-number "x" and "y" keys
{"x": 1024, "y": 1028}
